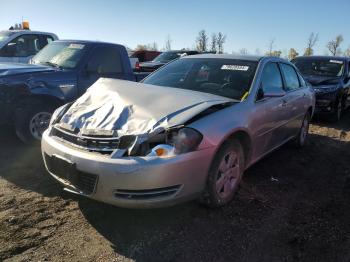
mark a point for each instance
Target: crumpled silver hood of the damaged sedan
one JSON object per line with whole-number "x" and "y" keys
{"x": 130, "y": 108}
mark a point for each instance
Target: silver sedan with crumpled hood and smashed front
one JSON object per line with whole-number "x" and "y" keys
{"x": 188, "y": 131}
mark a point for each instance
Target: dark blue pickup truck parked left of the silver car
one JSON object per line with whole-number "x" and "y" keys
{"x": 58, "y": 74}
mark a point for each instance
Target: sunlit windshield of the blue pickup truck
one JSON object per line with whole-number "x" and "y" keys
{"x": 65, "y": 55}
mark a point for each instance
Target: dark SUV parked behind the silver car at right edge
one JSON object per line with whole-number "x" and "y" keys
{"x": 330, "y": 78}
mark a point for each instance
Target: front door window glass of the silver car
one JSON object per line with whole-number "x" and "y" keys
{"x": 271, "y": 78}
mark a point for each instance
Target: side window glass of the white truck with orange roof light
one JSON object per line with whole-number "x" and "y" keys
{"x": 22, "y": 46}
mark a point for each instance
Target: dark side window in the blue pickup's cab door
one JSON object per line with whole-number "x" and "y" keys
{"x": 105, "y": 60}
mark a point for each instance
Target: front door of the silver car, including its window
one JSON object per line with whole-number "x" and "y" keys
{"x": 271, "y": 113}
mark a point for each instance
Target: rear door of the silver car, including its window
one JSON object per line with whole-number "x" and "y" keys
{"x": 295, "y": 99}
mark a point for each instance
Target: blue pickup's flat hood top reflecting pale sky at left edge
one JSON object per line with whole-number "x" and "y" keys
{"x": 17, "y": 68}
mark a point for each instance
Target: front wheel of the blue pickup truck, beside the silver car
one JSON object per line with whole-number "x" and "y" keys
{"x": 31, "y": 120}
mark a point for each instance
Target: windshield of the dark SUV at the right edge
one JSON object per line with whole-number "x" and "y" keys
{"x": 320, "y": 67}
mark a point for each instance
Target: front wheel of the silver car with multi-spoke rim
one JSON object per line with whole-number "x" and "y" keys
{"x": 221, "y": 187}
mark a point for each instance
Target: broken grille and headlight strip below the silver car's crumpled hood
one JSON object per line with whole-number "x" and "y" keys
{"x": 167, "y": 143}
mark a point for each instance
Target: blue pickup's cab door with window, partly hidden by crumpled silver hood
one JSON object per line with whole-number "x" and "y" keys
{"x": 104, "y": 61}
